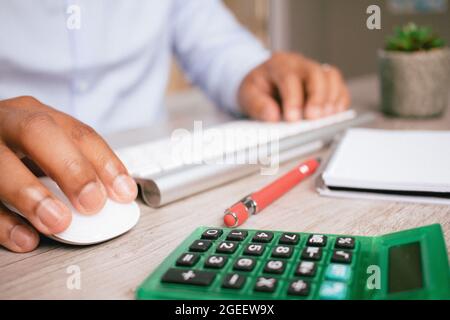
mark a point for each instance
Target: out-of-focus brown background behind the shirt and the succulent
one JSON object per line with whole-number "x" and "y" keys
{"x": 331, "y": 31}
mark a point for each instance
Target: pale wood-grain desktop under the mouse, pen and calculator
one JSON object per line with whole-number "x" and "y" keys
{"x": 114, "y": 269}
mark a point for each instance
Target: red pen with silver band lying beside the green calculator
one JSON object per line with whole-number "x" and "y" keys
{"x": 256, "y": 202}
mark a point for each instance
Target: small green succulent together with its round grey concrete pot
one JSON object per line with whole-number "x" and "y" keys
{"x": 414, "y": 73}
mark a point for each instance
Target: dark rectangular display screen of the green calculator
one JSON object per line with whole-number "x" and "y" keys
{"x": 405, "y": 268}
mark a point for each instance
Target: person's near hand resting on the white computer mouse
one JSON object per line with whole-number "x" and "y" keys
{"x": 69, "y": 152}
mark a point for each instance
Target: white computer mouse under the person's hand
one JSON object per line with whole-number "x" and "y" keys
{"x": 112, "y": 221}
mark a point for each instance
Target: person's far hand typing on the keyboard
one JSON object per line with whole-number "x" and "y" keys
{"x": 291, "y": 87}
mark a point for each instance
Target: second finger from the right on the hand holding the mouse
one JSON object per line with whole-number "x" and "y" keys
{"x": 37, "y": 135}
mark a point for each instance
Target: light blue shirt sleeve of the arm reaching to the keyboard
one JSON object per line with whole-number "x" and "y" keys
{"x": 213, "y": 49}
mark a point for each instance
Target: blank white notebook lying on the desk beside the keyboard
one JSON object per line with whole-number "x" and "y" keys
{"x": 397, "y": 165}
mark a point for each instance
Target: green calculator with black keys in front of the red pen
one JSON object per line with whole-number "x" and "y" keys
{"x": 220, "y": 263}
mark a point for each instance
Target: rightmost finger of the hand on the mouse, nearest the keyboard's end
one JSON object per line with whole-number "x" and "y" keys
{"x": 113, "y": 174}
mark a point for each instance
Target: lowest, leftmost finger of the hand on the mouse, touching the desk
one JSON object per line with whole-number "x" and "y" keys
{"x": 15, "y": 234}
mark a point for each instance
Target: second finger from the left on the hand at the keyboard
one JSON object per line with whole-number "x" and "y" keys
{"x": 291, "y": 91}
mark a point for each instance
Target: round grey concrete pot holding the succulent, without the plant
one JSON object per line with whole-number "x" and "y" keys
{"x": 414, "y": 84}
